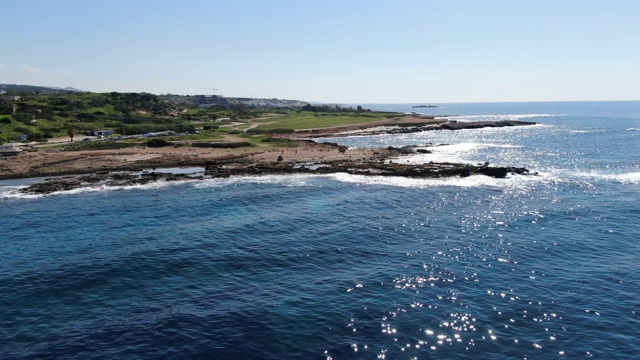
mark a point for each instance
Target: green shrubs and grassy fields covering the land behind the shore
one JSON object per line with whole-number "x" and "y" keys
{"x": 38, "y": 116}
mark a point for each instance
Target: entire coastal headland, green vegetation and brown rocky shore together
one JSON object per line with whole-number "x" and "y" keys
{"x": 78, "y": 139}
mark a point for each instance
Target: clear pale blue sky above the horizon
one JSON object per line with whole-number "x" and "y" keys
{"x": 348, "y": 51}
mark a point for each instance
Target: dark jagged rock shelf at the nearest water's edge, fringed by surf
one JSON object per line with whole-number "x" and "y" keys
{"x": 225, "y": 168}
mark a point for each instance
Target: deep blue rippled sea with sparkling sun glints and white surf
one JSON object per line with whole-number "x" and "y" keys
{"x": 543, "y": 266}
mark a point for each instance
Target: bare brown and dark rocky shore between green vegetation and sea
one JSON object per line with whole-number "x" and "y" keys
{"x": 303, "y": 155}
